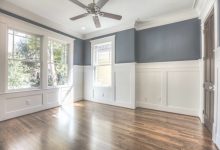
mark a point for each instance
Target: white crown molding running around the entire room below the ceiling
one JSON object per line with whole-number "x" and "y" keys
{"x": 173, "y": 17}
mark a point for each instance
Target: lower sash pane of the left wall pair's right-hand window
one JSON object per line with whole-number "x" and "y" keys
{"x": 57, "y": 74}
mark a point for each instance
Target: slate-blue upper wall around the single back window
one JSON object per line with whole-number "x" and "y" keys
{"x": 124, "y": 47}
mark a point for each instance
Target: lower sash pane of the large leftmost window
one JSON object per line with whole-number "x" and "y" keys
{"x": 22, "y": 74}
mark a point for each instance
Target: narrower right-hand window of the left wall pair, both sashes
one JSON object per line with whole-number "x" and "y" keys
{"x": 57, "y": 63}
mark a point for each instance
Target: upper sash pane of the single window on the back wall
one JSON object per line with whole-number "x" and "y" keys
{"x": 103, "y": 53}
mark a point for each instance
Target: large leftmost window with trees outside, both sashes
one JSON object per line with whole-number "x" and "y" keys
{"x": 23, "y": 60}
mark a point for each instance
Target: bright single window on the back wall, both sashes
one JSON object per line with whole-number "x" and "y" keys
{"x": 103, "y": 64}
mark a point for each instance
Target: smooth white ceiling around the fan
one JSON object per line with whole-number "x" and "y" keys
{"x": 59, "y": 11}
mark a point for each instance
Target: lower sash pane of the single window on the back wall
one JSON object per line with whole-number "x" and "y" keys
{"x": 103, "y": 75}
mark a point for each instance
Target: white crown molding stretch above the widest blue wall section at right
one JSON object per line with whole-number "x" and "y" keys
{"x": 167, "y": 19}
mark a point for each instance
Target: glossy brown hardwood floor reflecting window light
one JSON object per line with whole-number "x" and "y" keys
{"x": 92, "y": 126}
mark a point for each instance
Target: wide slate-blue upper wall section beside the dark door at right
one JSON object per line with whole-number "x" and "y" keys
{"x": 173, "y": 42}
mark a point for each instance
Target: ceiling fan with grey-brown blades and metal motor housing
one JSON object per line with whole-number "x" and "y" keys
{"x": 94, "y": 9}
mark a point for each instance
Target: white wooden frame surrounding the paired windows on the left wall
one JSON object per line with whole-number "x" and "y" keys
{"x": 11, "y": 23}
